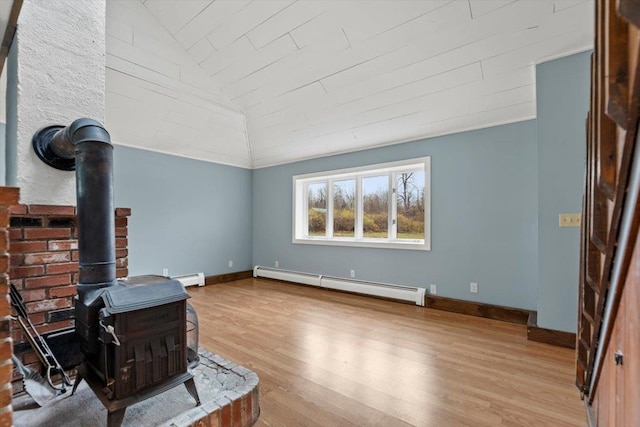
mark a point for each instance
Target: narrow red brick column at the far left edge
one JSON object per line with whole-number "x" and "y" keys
{"x": 8, "y": 197}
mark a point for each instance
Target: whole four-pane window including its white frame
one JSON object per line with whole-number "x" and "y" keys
{"x": 385, "y": 205}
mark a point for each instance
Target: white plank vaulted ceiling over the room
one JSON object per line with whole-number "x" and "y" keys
{"x": 264, "y": 82}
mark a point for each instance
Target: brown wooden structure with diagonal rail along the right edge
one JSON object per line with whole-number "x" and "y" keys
{"x": 609, "y": 294}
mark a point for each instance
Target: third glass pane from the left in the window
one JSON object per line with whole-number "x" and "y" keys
{"x": 375, "y": 219}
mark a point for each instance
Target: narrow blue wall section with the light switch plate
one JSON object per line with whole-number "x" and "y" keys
{"x": 563, "y": 102}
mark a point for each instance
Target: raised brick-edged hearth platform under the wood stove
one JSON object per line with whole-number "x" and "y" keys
{"x": 228, "y": 392}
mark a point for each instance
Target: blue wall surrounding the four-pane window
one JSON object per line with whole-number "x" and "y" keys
{"x": 484, "y": 218}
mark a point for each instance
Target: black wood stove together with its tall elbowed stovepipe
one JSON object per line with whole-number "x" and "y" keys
{"x": 132, "y": 332}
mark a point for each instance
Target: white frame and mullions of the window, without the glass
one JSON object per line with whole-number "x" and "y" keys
{"x": 300, "y": 206}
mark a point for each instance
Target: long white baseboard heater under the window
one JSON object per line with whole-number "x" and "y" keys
{"x": 385, "y": 290}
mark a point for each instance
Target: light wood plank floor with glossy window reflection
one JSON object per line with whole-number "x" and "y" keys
{"x": 326, "y": 358}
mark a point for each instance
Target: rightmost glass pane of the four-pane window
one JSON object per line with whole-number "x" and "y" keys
{"x": 410, "y": 187}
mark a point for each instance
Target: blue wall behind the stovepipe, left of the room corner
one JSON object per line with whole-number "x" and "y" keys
{"x": 187, "y": 215}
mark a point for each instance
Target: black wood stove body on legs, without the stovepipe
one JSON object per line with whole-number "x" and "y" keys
{"x": 141, "y": 344}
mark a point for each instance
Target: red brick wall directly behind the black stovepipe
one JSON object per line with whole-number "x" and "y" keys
{"x": 44, "y": 266}
